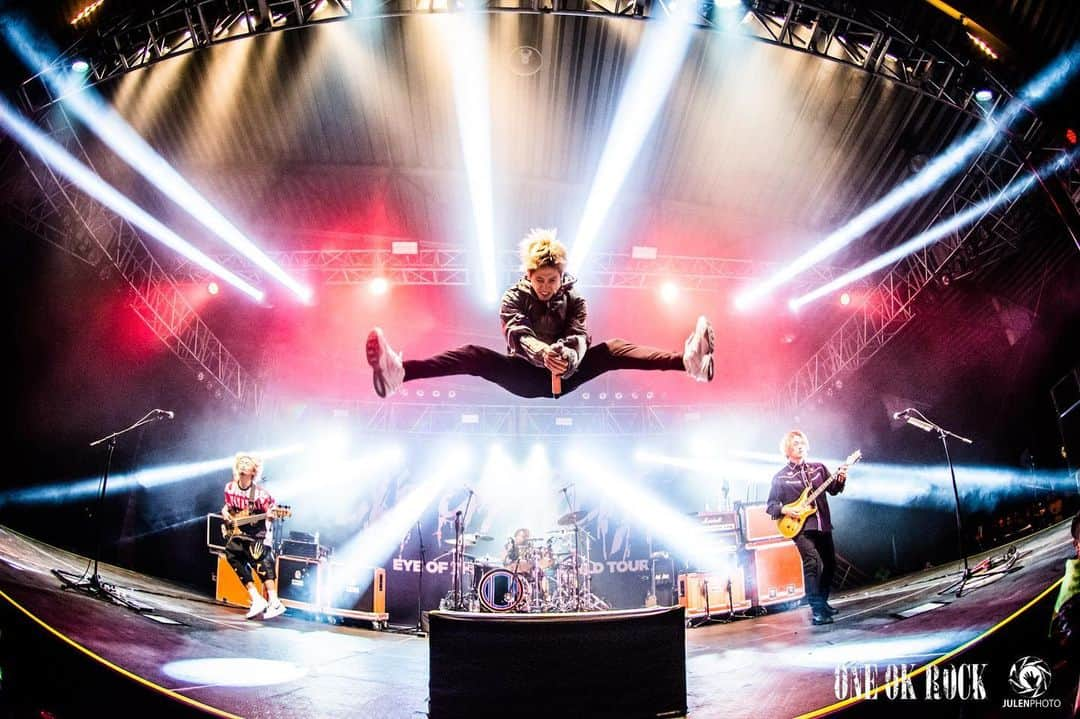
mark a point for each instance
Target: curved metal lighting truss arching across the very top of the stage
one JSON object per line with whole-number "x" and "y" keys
{"x": 872, "y": 45}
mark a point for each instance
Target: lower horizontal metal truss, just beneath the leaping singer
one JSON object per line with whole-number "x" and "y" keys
{"x": 397, "y": 417}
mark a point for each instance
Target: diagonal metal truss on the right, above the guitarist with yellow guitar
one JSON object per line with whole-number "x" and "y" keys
{"x": 890, "y": 307}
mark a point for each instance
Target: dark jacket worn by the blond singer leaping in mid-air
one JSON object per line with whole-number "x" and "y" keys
{"x": 562, "y": 318}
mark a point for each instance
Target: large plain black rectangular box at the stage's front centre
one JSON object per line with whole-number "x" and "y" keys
{"x": 618, "y": 666}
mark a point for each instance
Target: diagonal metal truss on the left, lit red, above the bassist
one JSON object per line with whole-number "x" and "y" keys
{"x": 62, "y": 215}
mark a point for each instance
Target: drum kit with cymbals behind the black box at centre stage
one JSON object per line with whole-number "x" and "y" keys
{"x": 550, "y": 574}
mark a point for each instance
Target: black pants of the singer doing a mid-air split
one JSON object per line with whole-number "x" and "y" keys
{"x": 518, "y": 376}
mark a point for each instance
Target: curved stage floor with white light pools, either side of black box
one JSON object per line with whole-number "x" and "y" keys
{"x": 776, "y": 666}
